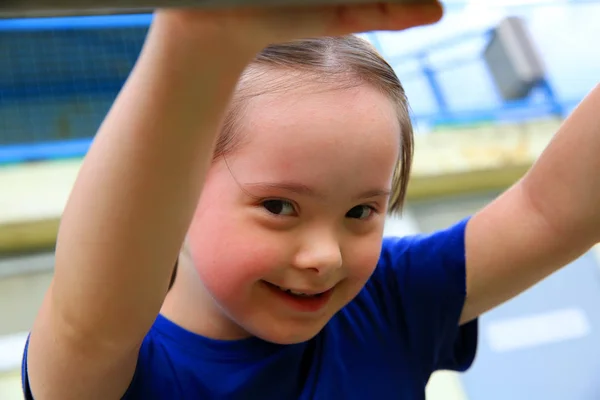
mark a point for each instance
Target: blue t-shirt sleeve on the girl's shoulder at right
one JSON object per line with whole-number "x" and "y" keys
{"x": 427, "y": 276}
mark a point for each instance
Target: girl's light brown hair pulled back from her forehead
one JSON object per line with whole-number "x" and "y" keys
{"x": 338, "y": 62}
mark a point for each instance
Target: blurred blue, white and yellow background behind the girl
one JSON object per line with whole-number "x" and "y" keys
{"x": 489, "y": 85}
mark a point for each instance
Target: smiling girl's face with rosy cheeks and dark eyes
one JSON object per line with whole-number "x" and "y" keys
{"x": 289, "y": 228}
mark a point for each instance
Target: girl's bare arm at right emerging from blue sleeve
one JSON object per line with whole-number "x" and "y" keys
{"x": 548, "y": 219}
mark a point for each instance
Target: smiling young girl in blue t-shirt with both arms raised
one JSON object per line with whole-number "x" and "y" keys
{"x": 266, "y": 179}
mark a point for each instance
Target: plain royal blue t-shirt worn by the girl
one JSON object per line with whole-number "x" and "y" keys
{"x": 386, "y": 343}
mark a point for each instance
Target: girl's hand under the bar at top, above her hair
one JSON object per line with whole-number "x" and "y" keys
{"x": 259, "y": 27}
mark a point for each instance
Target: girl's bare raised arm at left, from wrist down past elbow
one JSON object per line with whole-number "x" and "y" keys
{"x": 128, "y": 213}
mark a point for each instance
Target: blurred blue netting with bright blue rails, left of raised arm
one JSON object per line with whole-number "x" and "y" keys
{"x": 58, "y": 78}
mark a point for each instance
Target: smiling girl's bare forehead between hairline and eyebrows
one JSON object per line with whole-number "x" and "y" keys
{"x": 329, "y": 134}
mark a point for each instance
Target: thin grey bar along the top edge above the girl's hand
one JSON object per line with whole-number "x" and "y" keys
{"x": 31, "y": 8}
